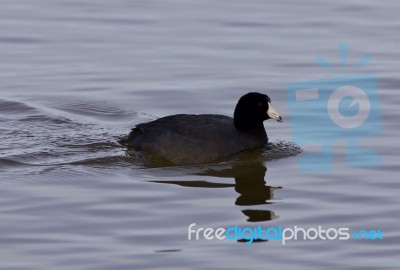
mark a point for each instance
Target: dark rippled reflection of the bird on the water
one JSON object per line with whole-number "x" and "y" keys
{"x": 249, "y": 184}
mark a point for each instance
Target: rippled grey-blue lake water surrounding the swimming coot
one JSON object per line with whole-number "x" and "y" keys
{"x": 76, "y": 75}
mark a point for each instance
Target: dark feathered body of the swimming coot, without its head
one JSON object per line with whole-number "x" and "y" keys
{"x": 194, "y": 139}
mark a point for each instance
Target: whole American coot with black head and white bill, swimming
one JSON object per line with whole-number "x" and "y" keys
{"x": 195, "y": 139}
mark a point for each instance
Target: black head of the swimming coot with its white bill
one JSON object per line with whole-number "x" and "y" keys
{"x": 252, "y": 109}
